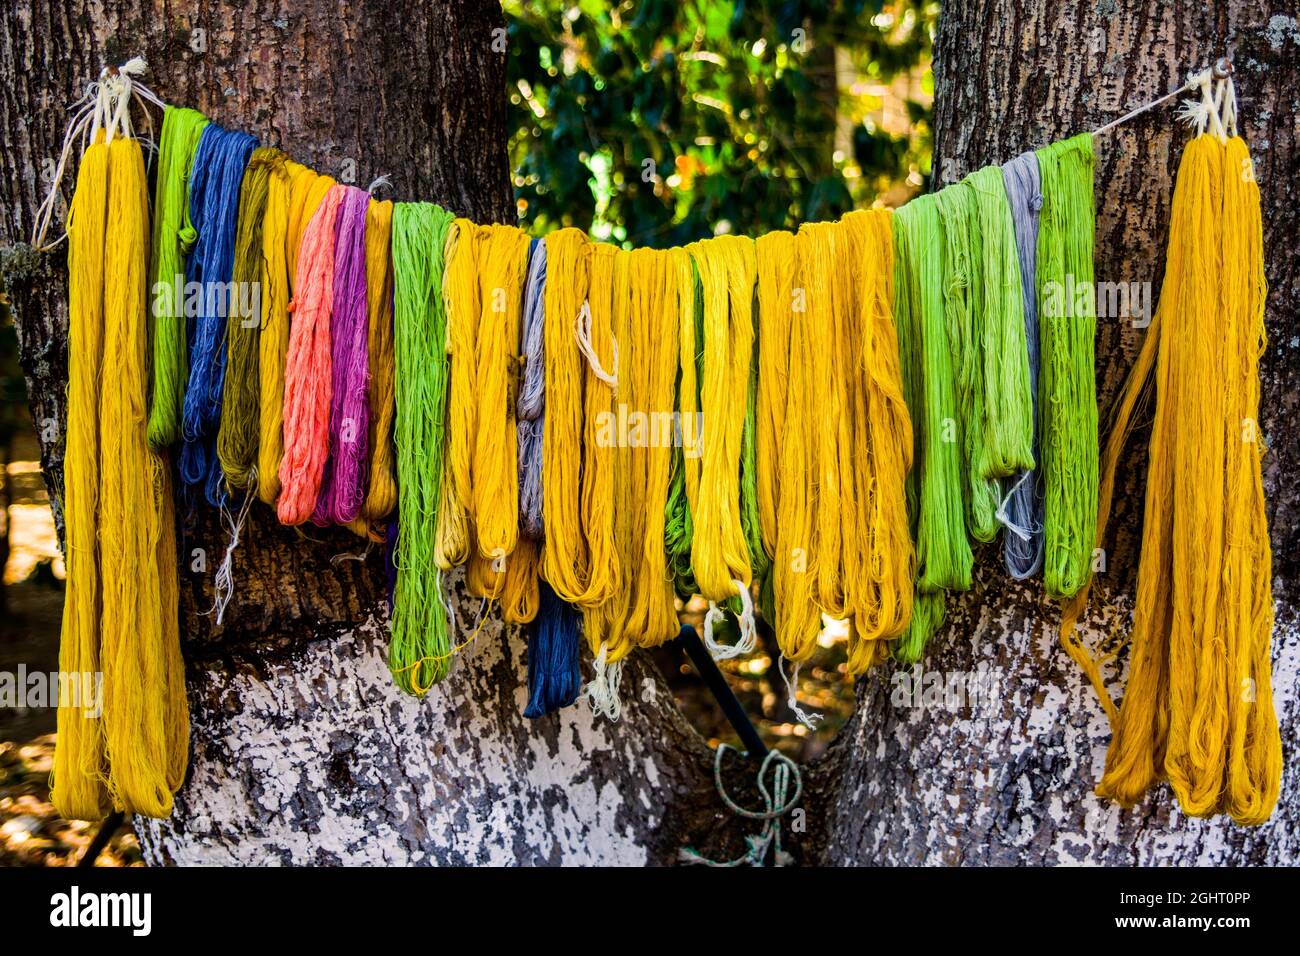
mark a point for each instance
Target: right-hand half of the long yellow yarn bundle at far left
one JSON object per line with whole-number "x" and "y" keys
{"x": 146, "y": 715}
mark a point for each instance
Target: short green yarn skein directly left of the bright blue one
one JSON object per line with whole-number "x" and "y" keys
{"x": 174, "y": 237}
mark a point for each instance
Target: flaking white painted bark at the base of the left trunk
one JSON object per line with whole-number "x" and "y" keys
{"x": 320, "y": 760}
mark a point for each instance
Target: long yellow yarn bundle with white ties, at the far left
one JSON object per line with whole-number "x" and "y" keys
{"x": 132, "y": 756}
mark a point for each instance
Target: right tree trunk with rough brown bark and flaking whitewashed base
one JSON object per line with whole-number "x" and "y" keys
{"x": 1012, "y": 782}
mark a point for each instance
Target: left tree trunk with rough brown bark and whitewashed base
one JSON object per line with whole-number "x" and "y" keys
{"x": 302, "y": 749}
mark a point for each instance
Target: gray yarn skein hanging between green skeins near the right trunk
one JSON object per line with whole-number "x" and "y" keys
{"x": 1022, "y": 542}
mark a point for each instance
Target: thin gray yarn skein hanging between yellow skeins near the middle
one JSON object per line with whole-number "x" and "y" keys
{"x": 531, "y": 406}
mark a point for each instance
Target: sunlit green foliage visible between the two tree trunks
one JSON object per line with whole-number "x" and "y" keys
{"x": 662, "y": 122}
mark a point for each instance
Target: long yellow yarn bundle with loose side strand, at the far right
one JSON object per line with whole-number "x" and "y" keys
{"x": 1198, "y": 710}
